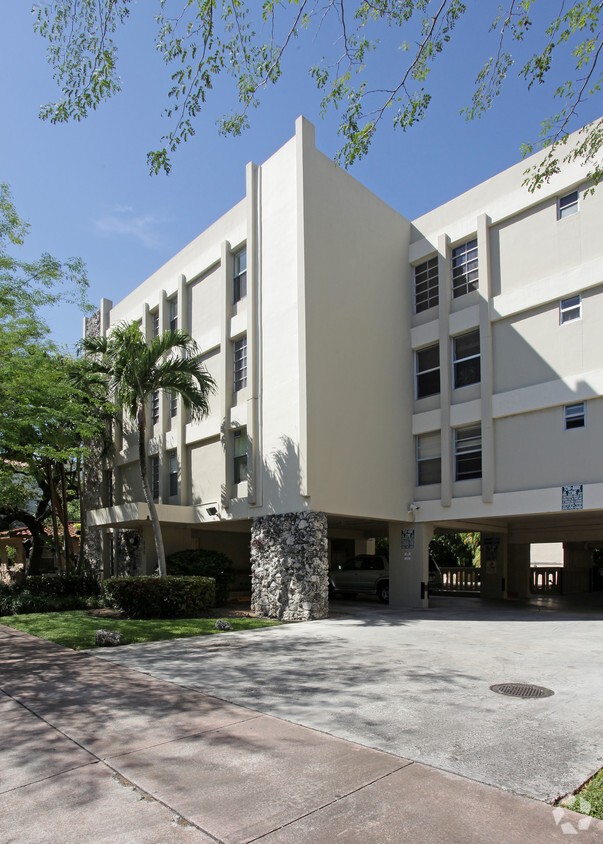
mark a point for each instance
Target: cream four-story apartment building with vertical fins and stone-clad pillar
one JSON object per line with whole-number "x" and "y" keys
{"x": 391, "y": 376}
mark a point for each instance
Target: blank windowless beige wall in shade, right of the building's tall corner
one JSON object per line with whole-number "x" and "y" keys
{"x": 357, "y": 336}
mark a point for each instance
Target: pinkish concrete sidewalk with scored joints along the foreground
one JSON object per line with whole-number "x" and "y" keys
{"x": 93, "y": 751}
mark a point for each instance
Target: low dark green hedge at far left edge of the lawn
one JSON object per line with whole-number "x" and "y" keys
{"x": 48, "y": 594}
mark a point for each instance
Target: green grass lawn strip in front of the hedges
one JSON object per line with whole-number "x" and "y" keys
{"x": 76, "y": 629}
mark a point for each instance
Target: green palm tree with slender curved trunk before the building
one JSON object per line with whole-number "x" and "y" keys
{"x": 133, "y": 370}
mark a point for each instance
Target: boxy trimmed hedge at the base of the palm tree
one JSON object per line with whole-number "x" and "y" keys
{"x": 161, "y": 597}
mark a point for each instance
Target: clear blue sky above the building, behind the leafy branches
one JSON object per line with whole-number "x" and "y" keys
{"x": 86, "y": 191}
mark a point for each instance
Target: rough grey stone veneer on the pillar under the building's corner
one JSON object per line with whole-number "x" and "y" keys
{"x": 289, "y": 566}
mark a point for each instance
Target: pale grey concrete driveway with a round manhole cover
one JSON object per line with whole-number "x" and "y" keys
{"x": 416, "y": 684}
